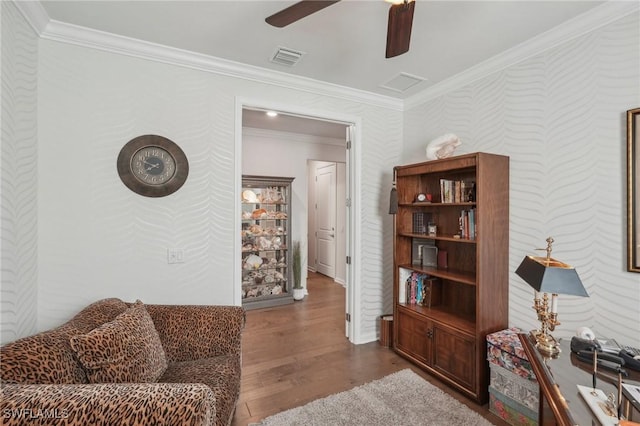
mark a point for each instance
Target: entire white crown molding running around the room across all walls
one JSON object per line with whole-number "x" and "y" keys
{"x": 587, "y": 22}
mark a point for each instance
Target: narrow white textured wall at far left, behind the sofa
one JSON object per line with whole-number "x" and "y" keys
{"x": 18, "y": 192}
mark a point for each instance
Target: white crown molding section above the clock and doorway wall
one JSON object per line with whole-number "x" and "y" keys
{"x": 108, "y": 42}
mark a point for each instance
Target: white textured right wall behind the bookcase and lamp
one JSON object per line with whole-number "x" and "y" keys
{"x": 560, "y": 116}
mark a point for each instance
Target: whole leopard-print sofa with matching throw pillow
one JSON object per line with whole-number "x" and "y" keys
{"x": 118, "y": 363}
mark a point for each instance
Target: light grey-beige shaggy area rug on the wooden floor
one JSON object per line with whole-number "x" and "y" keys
{"x": 402, "y": 398}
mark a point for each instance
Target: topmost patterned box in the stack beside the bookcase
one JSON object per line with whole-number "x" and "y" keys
{"x": 504, "y": 349}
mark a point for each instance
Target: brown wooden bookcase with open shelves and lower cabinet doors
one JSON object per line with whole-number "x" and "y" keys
{"x": 443, "y": 311}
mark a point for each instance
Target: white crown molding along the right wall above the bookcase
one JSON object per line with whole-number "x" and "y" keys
{"x": 582, "y": 24}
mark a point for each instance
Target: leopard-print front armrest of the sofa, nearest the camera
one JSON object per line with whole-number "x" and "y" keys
{"x": 107, "y": 404}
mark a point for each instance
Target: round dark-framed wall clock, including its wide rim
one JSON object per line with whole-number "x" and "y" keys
{"x": 152, "y": 166}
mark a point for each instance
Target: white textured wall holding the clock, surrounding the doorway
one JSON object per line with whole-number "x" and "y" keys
{"x": 99, "y": 239}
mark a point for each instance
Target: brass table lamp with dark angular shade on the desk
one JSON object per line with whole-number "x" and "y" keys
{"x": 549, "y": 276}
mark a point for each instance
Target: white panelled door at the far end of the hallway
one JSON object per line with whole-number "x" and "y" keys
{"x": 326, "y": 220}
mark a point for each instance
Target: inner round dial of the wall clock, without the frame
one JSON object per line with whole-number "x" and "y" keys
{"x": 153, "y": 165}
